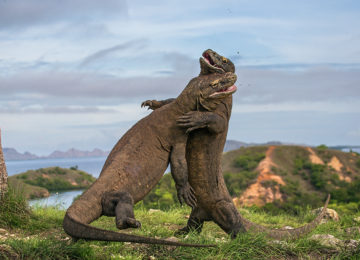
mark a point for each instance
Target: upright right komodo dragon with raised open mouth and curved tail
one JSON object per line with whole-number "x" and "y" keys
{"x": 203, "y": 155}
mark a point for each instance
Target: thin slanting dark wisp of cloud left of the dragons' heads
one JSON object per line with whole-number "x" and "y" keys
{"x": 134, "y": 44}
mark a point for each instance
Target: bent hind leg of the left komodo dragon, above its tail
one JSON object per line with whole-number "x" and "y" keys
{"x": 121, "y": 205}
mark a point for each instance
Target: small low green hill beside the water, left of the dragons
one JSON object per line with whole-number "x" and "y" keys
{"x": 39, "y": 183}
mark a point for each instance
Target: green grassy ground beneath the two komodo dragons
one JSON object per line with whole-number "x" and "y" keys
{"x": 40, "y": 236}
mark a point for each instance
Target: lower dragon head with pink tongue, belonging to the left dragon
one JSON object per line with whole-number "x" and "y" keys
{"x": 207, "y": 91}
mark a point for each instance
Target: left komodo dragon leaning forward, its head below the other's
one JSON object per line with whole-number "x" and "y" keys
{"x": 136, "y": 164}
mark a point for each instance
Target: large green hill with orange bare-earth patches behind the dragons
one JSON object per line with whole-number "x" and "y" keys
{"x": 280, "y": 176}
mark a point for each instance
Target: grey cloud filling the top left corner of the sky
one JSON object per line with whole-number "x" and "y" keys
{"x": 23, "y": 14}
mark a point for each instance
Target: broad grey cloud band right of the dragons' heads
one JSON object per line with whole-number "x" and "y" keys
{"x": 258, "y": 86}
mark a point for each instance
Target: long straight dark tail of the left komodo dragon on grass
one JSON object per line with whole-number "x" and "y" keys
{"x": 79, "y": 230}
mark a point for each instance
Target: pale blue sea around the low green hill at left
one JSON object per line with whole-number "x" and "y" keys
{"x": 62, "y": 200}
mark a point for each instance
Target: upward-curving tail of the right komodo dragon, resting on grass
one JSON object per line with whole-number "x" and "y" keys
{"x": 286, "y": 233}
